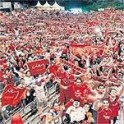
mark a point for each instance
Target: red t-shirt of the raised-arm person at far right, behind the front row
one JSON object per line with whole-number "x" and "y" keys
{"x": 114, "y": 106}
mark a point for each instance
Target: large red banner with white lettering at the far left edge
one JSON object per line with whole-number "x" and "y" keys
{"x": 12, "y": 95}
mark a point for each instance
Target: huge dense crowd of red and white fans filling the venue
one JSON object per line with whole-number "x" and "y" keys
{"x": 85, "y": 54}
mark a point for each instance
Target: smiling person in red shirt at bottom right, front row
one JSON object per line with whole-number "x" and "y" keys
{"x": 104, "y": 113}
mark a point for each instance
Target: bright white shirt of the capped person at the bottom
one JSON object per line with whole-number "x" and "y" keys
{"x": 76, "y": 114}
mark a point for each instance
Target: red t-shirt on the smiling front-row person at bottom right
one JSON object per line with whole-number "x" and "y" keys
{"x": 101, "y": 116}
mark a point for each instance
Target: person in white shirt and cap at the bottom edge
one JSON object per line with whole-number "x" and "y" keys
{"x": 75, "y": 113}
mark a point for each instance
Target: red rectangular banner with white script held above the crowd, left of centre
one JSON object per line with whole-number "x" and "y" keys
{"x": 38, "y": 67}
